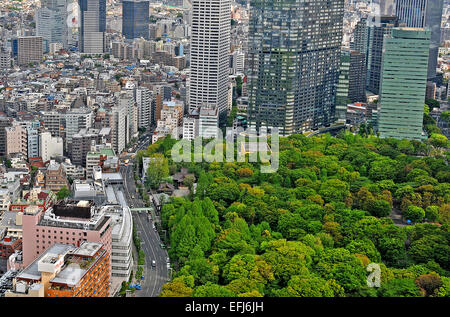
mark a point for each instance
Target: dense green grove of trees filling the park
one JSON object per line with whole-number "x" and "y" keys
{"x": 311, "y": 228}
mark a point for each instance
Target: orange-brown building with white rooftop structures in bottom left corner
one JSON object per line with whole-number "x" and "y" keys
{"x": 64, "y": 270}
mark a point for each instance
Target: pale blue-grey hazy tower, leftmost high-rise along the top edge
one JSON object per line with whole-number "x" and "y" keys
{"x": 51, "y": 21}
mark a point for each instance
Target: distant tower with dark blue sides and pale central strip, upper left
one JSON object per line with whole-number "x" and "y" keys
{"x": 92, "y": 26}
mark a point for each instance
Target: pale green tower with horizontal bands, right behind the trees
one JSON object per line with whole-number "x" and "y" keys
{"x": 403, "y": 83}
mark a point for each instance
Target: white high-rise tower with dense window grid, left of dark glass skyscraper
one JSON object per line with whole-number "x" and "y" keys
{"x": 210, "y": 49}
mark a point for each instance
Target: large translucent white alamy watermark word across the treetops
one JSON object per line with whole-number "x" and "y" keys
{"x": 246, "y": 142}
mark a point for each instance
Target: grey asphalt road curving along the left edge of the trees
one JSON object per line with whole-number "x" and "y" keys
{"x": 156, "y": 276}
